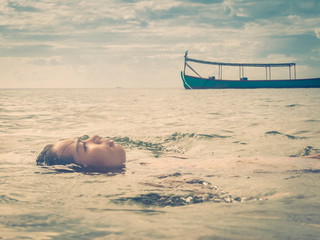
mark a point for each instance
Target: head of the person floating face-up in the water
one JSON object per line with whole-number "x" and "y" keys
{"x": 93, "y": 152}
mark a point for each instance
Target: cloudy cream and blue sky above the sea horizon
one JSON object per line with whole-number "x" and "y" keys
{"x": 141, "y": 44}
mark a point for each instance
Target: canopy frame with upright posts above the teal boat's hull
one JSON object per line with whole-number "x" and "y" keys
{"x": 241, "y": 66}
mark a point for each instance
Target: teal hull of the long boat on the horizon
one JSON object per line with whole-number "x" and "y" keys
{"x": 190, "y": 82}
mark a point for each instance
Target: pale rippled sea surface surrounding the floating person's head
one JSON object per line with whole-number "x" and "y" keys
{"x": 201, "y": 164}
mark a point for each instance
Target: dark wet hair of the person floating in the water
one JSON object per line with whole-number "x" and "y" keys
{"x": 48, "y": 157}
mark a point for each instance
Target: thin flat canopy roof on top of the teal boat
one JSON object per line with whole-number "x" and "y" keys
{"x": 187, "y": 59}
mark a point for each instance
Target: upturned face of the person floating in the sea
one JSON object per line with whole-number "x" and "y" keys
{"x": 92, "y": 152}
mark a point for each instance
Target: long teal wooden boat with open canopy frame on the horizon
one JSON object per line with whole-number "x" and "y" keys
{"x": 198, "y": 82}
